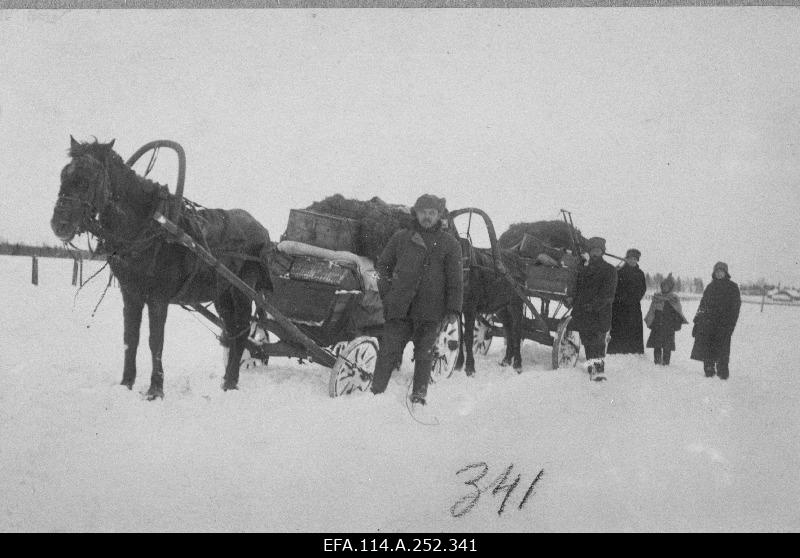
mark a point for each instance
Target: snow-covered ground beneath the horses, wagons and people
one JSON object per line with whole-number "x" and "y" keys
{"x": 651, "y": 449}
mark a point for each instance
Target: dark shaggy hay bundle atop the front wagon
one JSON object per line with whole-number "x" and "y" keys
{"x": 378, "y": 220}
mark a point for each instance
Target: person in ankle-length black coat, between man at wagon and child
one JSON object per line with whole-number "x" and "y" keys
{"x": 627, "y": 333}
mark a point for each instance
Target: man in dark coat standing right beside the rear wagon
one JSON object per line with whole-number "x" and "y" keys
{"x": 591, "y": 311}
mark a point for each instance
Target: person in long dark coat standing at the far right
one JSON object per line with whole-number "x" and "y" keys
{"x": 715, "y": 321}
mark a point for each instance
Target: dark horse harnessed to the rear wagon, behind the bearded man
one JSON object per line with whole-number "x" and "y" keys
{"x": 487, "y": 291}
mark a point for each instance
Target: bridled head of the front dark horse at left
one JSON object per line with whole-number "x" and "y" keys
{"x": 84, "y": 190}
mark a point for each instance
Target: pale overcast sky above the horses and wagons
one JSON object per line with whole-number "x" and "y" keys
{"x": 672, "y": 130}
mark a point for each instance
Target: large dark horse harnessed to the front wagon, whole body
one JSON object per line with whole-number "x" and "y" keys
{"x": 100, "y": 194}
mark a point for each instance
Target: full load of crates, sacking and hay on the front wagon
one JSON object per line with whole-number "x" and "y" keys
{"x": 324, "y": 264}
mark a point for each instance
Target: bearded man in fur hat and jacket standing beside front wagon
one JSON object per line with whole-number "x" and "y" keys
{"x": 421, "y": 285}
